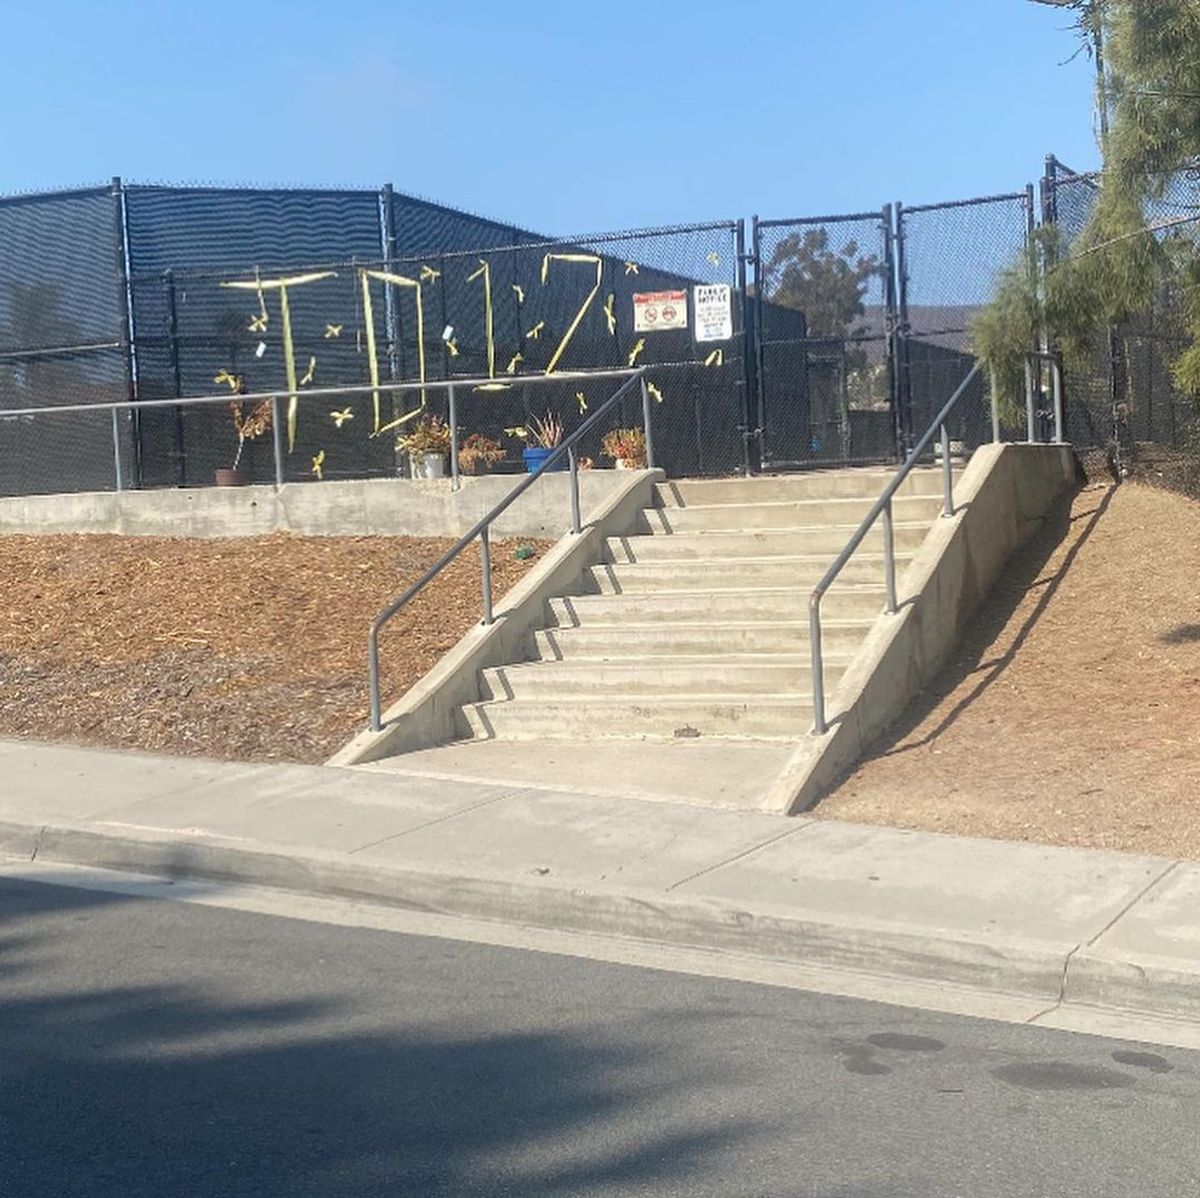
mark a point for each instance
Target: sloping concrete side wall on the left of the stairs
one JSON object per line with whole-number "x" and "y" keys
{"x": 428, "y": 715}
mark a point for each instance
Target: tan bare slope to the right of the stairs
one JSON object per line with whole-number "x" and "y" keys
{"x": 1072, "y": 712}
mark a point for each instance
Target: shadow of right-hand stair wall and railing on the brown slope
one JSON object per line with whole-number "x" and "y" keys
{"x": 1025, "y": 574}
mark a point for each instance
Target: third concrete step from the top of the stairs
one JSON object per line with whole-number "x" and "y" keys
{"x": 829, "y": 540}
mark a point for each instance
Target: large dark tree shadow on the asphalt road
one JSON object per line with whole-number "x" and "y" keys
{"x": 111, "y": 1087}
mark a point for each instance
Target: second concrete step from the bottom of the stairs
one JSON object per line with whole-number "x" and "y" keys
{"x": 730, "y": 675}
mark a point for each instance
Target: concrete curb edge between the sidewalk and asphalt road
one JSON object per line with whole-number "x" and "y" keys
{"x": 1013, "y": 968}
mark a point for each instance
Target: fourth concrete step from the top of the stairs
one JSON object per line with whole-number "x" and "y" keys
{"x": 748, "y": 573}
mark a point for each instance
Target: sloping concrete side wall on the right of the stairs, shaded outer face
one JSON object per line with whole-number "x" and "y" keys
{"x": 1004, "y": 498}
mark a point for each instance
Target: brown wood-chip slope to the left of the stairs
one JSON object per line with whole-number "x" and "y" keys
{"x": 251, "y": 649}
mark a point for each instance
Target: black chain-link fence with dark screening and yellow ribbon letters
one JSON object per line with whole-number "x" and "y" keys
{"x": 825, "y": 342}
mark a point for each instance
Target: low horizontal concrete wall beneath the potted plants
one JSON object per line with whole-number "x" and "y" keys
{"x": 375, "y": 507}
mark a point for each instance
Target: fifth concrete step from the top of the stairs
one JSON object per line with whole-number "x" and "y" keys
{"x": 861, "y": 602}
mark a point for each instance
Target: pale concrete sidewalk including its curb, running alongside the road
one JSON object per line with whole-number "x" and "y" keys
{"x": 1049, "y": 931}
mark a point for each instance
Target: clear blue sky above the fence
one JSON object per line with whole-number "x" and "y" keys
{"x": 562, "y": 117}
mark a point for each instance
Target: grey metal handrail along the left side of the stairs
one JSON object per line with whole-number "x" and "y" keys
{"x": 482, "y": 530}
